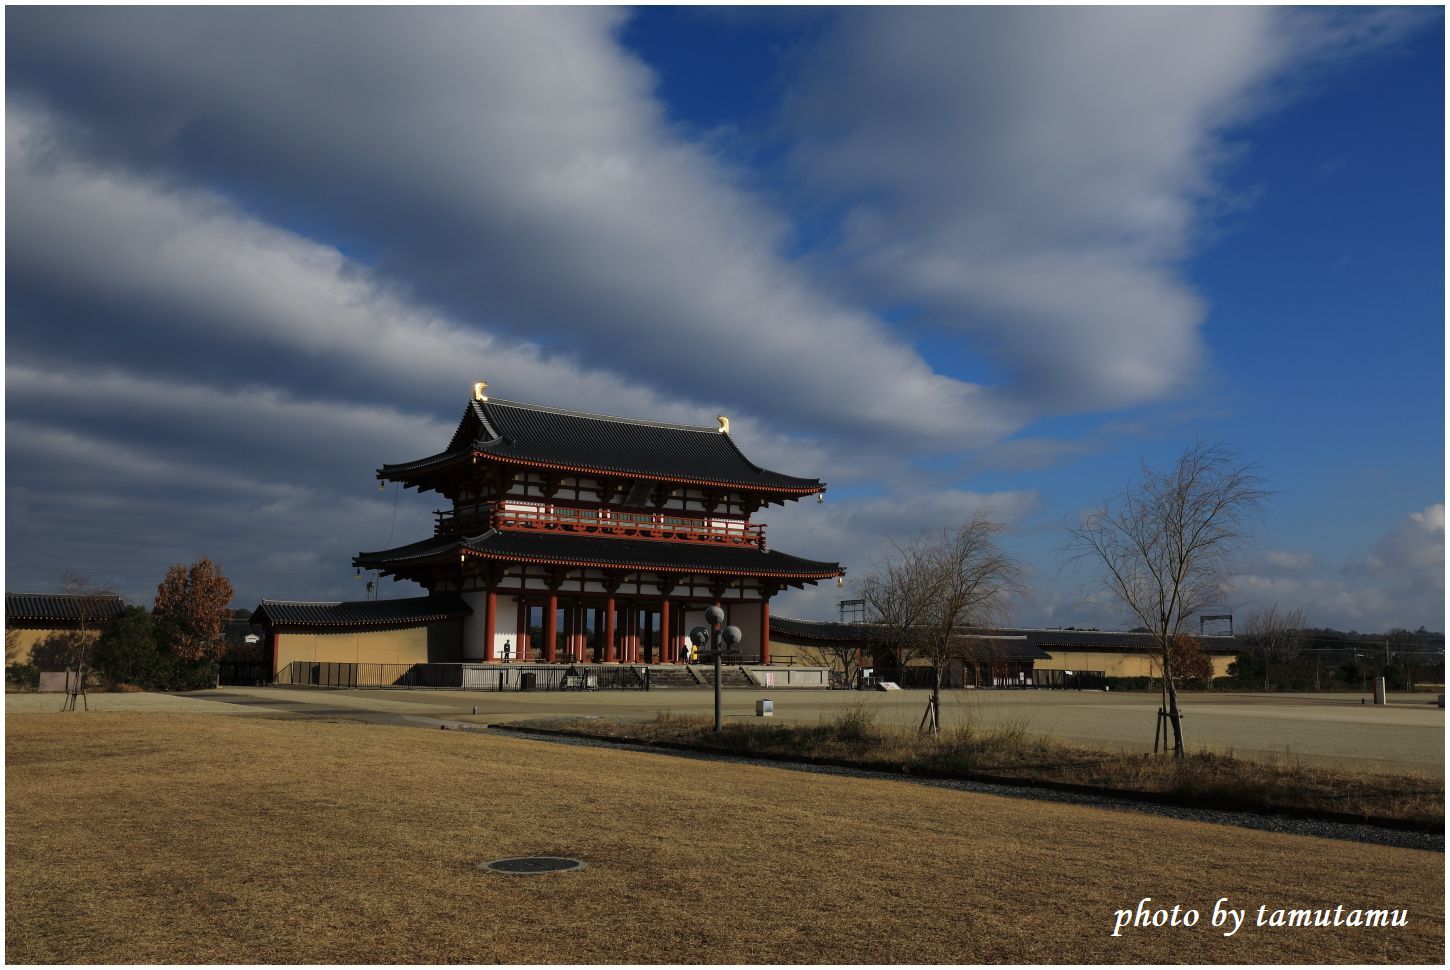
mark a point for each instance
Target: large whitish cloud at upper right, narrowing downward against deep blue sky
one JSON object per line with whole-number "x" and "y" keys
{"x": 1035, "y": 179}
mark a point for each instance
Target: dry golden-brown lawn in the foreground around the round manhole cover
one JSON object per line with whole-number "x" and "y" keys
{"x": 183, "y": 839}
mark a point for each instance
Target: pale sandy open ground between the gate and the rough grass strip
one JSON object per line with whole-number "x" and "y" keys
{"x": 1332, "y": 730}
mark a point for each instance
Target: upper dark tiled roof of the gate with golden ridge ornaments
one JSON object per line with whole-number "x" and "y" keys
{"x": 558, "y": 439}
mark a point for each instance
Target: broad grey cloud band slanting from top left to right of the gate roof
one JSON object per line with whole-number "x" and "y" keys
{"x": 508, "y": 169}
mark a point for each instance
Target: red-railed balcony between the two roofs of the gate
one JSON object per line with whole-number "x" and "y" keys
{"x": 604, "y": 523}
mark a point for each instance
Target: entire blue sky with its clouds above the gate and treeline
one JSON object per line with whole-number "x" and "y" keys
{"x": 937, "y": 257}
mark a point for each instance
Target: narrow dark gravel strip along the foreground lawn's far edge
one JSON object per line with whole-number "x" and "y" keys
{"x": 1346, "y": 832}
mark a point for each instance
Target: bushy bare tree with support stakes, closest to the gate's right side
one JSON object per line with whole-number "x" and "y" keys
{"x": 930, "y": 591}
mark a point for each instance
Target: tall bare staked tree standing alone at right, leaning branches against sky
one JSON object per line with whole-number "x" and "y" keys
{"x": 1167, "y": 546}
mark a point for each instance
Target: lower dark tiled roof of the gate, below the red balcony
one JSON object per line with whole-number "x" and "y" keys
{"x": 530, "y": 547}
